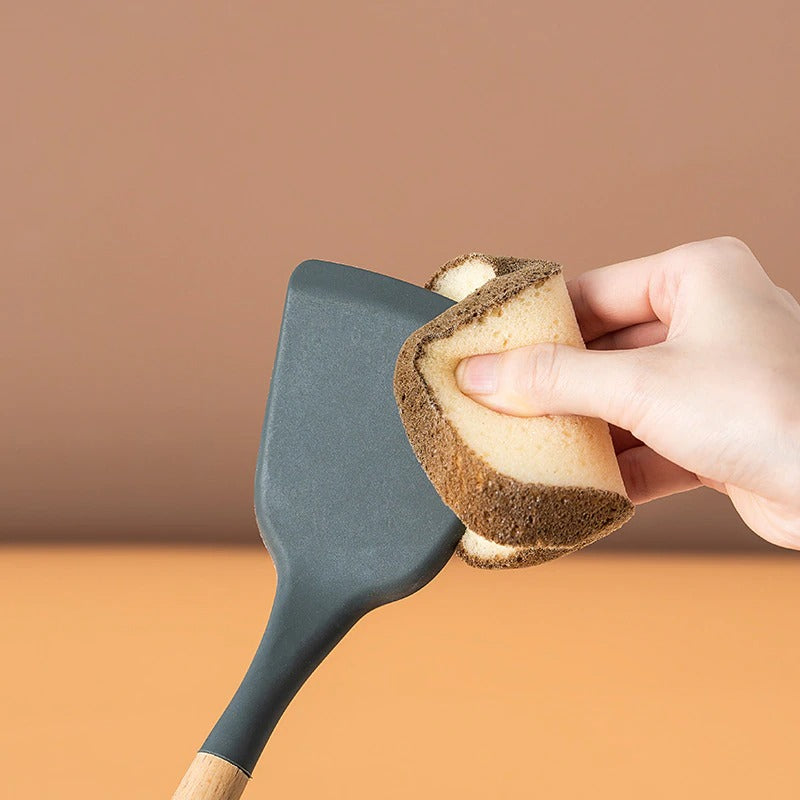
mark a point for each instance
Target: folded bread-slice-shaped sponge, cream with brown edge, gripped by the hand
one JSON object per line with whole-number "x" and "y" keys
{"x": 528, "y": 489}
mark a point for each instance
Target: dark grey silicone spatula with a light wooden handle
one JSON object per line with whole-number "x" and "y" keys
{"x": 344, "y": 508}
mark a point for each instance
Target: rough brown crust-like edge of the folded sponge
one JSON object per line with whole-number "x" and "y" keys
{"x": 496, "y": 506}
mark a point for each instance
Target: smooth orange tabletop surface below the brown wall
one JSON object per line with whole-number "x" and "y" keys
{"x": 604, "y": 676}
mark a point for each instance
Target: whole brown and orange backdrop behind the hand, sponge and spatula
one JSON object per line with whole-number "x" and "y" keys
{"x": 164, "y": 165}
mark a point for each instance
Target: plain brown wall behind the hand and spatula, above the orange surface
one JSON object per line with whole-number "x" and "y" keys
{"x": 165, "y": 164}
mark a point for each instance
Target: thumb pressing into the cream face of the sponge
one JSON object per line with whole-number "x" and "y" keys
{"x": 614, "y": 385}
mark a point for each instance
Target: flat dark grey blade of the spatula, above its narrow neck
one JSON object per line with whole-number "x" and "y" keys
{"x": 339, "y": 492}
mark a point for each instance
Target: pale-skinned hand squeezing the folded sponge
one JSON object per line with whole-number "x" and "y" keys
{"x": 694, "y": 360}
